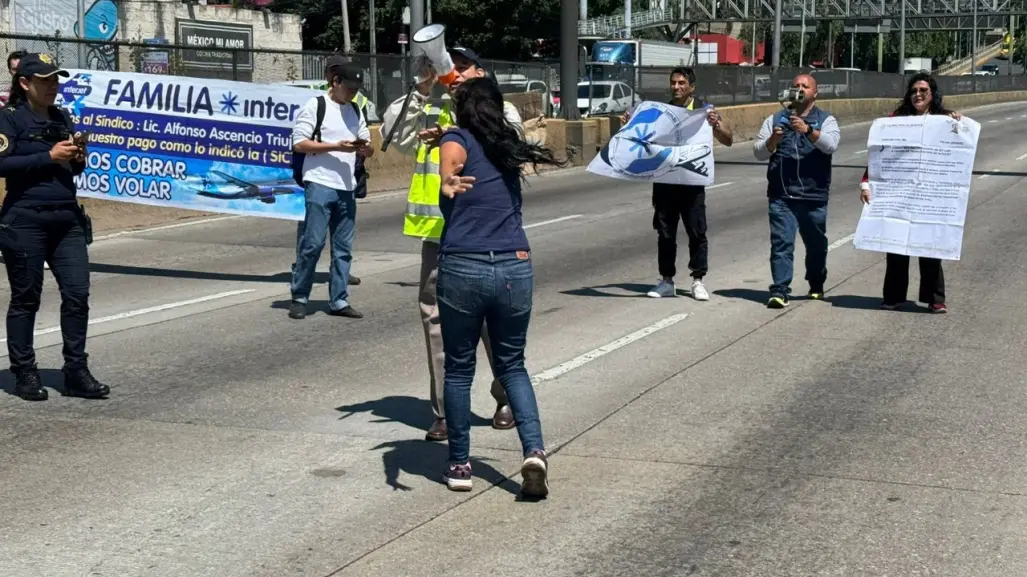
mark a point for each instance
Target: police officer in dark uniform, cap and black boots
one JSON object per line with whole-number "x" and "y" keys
{"x": 41, "y": 221}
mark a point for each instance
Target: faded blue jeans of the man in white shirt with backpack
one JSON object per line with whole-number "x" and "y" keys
{"x": 333, "y": 213}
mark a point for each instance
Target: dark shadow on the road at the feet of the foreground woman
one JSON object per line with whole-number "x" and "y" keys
{"x": 429, "y": 460}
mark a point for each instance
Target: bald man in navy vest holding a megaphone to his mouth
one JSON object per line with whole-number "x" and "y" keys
{"x": 800, "y": 143}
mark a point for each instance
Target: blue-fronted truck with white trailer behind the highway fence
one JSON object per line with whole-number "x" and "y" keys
{"x": 626, "y": 61}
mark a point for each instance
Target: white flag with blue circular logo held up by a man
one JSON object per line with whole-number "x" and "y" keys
{"x": 662, "y": 143}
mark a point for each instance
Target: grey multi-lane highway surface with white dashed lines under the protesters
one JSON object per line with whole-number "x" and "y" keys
{"x": 698, "y": 439}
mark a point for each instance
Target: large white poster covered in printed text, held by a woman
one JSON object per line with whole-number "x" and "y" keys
{"x": 921, "y": 170}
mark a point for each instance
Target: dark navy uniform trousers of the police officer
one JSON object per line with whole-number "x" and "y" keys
{"x": 54, "y": 236}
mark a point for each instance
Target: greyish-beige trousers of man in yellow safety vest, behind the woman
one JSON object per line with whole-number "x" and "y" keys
{"x": 434, "y": 333}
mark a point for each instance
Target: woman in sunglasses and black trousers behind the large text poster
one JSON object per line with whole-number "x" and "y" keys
{"x": 922, "y": 97}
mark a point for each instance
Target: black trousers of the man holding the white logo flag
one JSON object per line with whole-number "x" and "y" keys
{"x": 672, "y": 205}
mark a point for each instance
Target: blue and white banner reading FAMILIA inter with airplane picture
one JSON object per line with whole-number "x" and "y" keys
{"x": 199, "y": 144}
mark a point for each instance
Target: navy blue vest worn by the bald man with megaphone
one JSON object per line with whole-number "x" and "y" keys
{"x": 798, "y": 170}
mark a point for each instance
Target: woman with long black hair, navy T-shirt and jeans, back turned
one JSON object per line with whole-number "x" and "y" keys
{"x": 485, "y": 274}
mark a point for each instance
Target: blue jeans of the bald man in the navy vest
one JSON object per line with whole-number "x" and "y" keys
{"x": 810, "y": 219}
